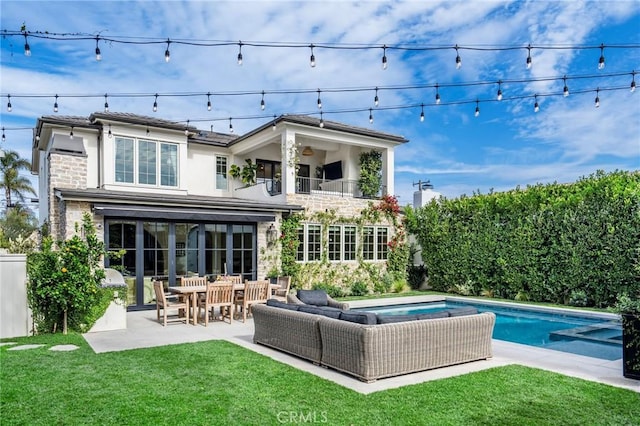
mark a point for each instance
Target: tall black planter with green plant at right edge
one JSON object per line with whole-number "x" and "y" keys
{"x": 629, "y": 309}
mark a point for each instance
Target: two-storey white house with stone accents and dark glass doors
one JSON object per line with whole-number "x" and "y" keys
{"x": 163, "y": 192}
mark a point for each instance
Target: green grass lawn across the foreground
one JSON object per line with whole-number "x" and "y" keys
{"x": 219, "y": 383}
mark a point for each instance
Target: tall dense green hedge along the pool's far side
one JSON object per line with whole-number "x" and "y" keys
{"x": 573, "y": 244}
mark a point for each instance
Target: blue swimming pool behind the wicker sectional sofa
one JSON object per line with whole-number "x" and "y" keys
{"x": 593, "y": 336}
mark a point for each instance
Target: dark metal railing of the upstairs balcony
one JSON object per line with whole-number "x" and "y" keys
{"x": 305, "y": 185}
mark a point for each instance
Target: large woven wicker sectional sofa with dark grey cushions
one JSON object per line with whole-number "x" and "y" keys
{"x": 363, "y": 345}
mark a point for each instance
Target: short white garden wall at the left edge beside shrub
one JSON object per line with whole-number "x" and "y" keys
{"x": 15, "y": 315}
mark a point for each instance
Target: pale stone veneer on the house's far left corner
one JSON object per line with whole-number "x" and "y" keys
{"x": 65, "y": 171}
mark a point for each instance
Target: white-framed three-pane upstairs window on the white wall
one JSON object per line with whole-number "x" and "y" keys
{"x": 149, "y": 163}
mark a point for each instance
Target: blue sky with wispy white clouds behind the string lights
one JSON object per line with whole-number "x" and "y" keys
{"x": 507, "y": 145}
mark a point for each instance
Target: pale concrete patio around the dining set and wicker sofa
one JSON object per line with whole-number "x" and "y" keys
{"x": 143, "y": 331}
